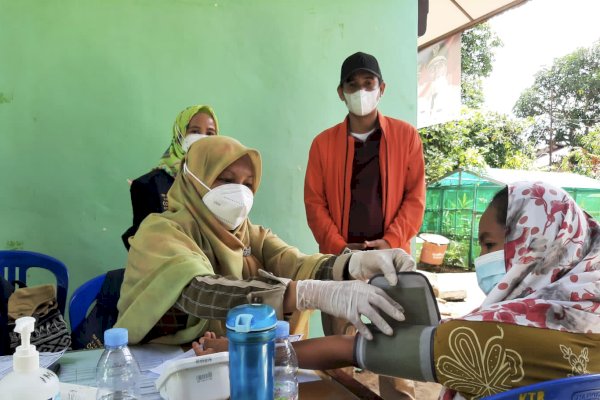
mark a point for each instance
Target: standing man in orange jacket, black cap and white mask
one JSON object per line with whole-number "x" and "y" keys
{"x": 365, "y": 180}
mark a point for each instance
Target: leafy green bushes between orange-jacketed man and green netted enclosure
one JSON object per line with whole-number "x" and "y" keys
{"x": 477, "y": 140}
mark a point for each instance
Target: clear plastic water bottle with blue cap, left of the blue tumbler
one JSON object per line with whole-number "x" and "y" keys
{"x": 117, "y": 373}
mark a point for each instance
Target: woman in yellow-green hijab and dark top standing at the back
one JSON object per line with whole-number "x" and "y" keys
{"x": 149, "y": 191}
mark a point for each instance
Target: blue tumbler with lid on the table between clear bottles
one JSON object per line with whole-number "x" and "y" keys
{"x": 251, "y": 334}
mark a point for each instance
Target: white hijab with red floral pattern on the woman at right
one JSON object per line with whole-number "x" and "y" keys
{"x": 552, "y": 255}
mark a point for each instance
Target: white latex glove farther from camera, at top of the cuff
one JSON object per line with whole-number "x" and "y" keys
{"x": 364, "y": 265}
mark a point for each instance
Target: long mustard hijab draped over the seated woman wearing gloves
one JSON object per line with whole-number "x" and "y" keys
{"x": 171, "y": 248}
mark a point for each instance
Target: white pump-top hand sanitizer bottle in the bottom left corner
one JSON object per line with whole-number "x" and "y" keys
{"x": 28, "y": 381}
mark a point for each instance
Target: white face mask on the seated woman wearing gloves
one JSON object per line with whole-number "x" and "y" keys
{"x": 230, "y": 203}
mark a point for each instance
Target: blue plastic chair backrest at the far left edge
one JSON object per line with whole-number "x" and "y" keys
{"x": 15, "y": 263}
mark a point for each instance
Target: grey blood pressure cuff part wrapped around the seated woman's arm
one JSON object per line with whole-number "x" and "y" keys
{"x": 407, "y": 354}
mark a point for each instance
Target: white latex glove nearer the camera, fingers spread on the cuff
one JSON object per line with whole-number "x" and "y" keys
{"x": 349, "y": 300}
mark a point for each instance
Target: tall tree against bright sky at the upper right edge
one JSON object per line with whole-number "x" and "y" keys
{"x": 564, "y": 100}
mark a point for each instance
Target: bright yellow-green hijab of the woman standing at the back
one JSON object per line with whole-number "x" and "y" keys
{"x": 170, "y": 162}
